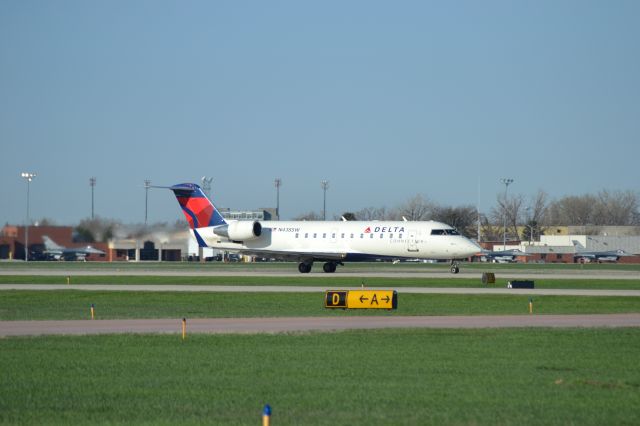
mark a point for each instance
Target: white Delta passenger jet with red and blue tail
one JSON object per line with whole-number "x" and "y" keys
{"x": 331, "y": 242}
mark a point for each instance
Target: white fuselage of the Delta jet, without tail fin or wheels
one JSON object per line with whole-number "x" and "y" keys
{"x": 353, "y": 240}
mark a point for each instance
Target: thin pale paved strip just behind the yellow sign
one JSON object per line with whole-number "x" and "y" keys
{"x": 316, "y": 289}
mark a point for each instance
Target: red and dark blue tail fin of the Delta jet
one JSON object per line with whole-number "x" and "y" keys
{"x": 199, "y": 211}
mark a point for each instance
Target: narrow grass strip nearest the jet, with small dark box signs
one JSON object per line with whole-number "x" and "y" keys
{"x": 330, "y": 280}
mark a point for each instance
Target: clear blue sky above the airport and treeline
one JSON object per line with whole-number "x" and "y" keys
{"x": 385, "y": 100}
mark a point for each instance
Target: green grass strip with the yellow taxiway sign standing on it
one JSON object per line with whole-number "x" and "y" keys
{"x": 72, "y": 304}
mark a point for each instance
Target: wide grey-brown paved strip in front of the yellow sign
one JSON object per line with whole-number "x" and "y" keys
{"x": 308, "y": 324}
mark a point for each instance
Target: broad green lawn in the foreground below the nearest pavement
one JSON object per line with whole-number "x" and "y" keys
{"x": 480, "y": 377}
